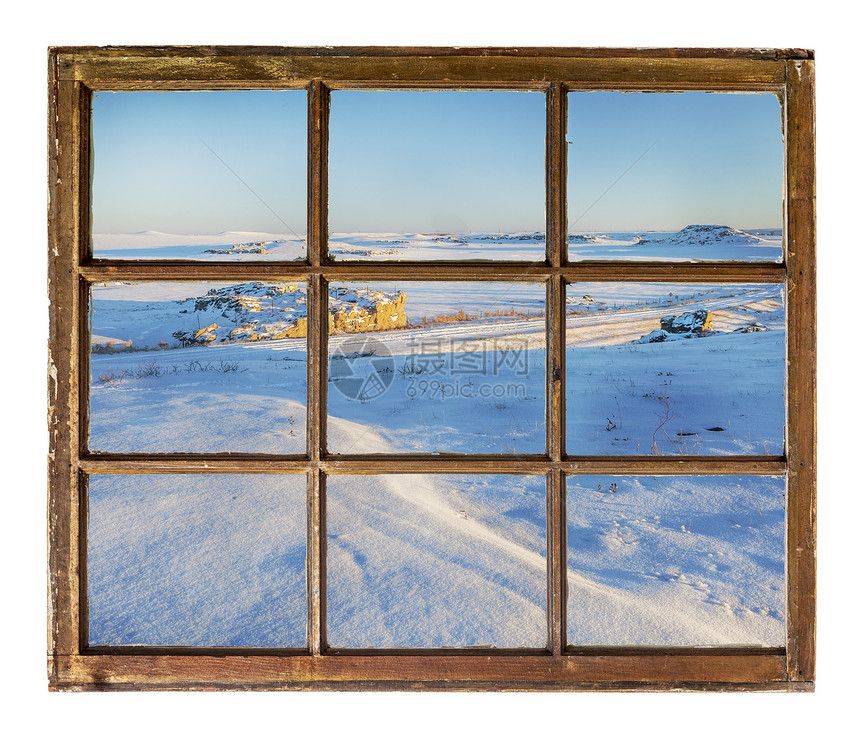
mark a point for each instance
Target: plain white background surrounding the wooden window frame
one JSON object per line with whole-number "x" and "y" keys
{"x": 29, "y": 30}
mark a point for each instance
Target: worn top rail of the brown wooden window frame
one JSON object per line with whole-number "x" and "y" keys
{"x": 133, "y": 70}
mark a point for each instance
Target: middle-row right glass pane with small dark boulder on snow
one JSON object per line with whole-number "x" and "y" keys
{"x": 655, "y": 369}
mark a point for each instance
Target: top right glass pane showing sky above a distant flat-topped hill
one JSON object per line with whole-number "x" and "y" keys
{"x": 690, "y": 176}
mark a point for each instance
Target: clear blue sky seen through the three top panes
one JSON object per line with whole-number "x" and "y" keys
{"x": 433, "y": 161}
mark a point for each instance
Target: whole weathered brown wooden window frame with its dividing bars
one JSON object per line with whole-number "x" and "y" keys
{"x": 74, "y": 73}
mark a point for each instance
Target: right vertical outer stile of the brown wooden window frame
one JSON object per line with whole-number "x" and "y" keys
{"x": 801, "y": 390}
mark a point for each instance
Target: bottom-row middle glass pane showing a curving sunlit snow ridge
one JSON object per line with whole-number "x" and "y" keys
{"x": 436, "y": 561}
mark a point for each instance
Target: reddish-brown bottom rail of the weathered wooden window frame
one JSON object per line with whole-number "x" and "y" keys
{"x": 462, "y": 671}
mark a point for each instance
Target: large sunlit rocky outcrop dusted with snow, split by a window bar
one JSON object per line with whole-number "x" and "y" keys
{"x": 253, "y": 311}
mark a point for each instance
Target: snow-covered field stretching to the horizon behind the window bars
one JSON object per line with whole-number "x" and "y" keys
{"x": 425, "y": 561}
